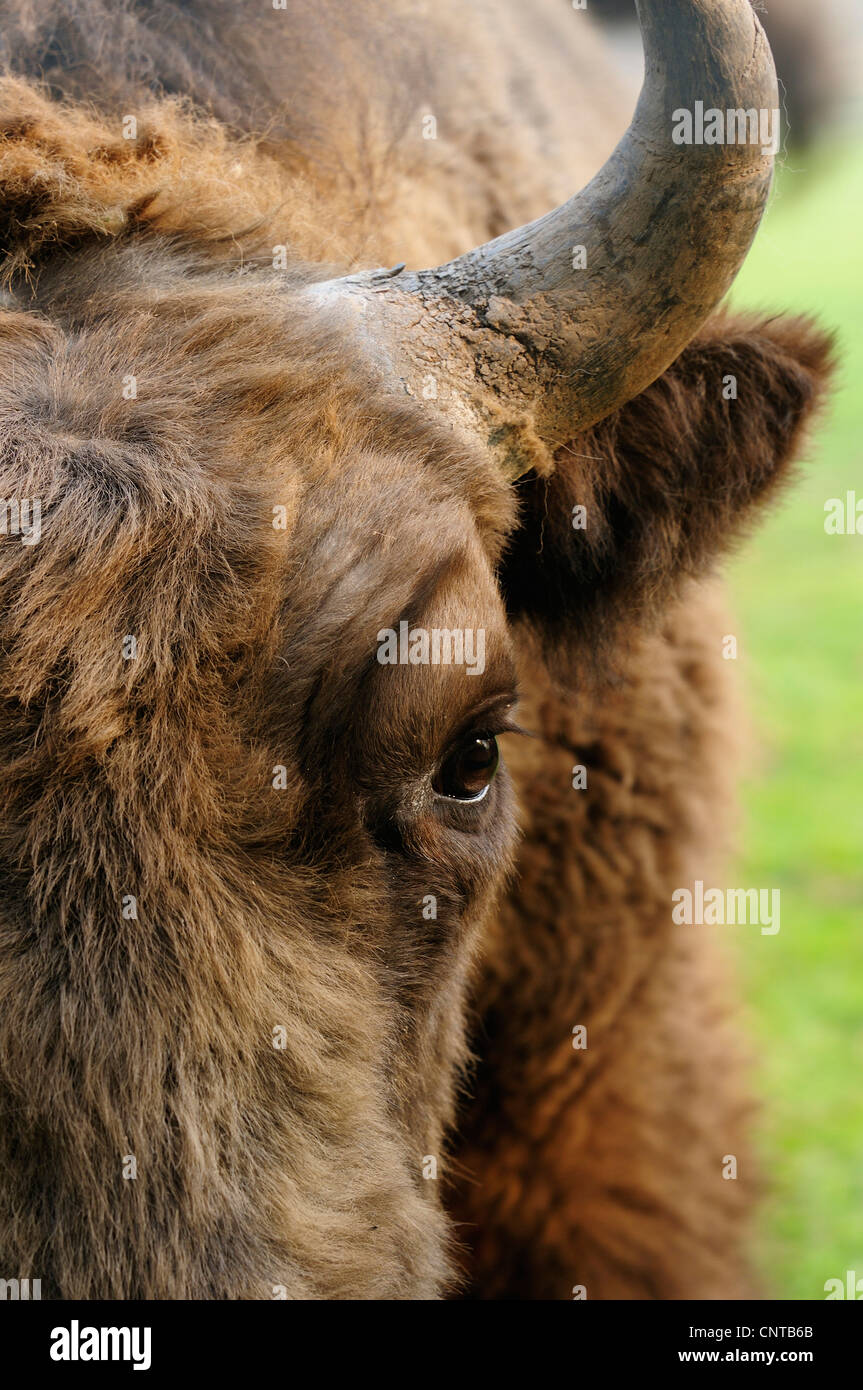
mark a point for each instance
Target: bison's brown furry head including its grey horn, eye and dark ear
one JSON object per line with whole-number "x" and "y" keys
{"x": 249, "y": 826}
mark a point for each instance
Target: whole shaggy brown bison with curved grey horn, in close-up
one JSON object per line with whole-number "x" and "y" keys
{"x": 305, "y": 989}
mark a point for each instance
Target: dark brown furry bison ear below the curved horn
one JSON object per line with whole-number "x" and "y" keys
{"x": 657, "y": 491}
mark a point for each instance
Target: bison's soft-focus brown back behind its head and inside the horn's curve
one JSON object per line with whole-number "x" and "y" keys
{"x": 338, "y": 167}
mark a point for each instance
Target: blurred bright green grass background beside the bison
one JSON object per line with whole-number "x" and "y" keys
{"x": 798, "y": 605}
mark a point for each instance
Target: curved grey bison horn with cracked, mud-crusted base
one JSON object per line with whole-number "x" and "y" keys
{"x": 530, "y": 350}
